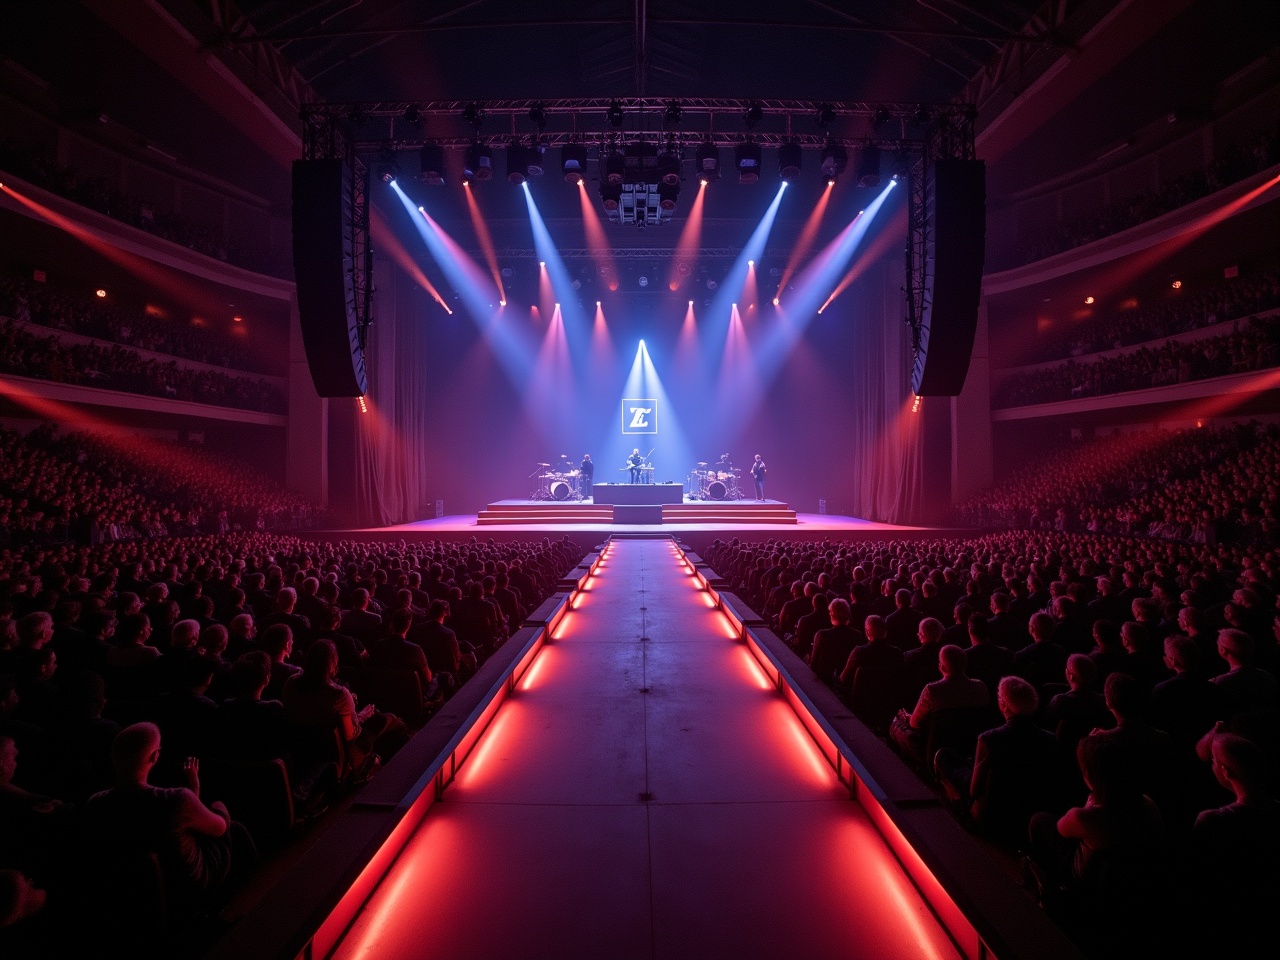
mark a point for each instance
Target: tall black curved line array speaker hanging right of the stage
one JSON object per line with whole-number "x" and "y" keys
{"x": 954, "y": 252}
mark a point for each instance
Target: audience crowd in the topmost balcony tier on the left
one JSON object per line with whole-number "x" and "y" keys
{"x": 36, "y": 167}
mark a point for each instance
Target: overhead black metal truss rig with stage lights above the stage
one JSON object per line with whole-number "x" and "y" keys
{"x": 920, "y": 135}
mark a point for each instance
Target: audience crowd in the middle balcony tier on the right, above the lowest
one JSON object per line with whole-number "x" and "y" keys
{"x": 1229, "y": 300}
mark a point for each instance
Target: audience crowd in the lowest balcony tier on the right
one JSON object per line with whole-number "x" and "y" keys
{"x": 1250, "y": 348}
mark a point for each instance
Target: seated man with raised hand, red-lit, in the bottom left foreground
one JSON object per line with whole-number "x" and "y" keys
{"x": 200, "y": 848}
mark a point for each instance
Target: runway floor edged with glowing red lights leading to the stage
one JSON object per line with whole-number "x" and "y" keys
{"x": 596, "y": 820}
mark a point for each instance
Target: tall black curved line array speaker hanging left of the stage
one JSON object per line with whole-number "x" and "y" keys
{"x": 324, "y": 268}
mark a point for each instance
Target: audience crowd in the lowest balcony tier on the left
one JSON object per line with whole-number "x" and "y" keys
{"x": 25, "y": 354}
